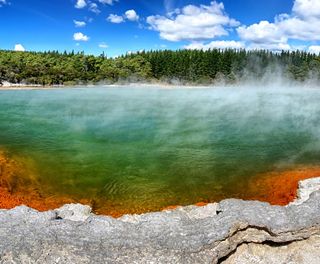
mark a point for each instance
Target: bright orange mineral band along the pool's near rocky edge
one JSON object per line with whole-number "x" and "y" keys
{"x": 275, "y": 187}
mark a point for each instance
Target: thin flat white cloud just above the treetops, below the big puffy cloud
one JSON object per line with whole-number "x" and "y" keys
{"x": 223, "y": 44}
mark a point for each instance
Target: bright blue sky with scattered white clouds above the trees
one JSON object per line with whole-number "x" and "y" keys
{"x": 117, "y": 27}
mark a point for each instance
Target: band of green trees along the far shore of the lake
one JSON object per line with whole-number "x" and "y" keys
{"x": 185, "y": 66}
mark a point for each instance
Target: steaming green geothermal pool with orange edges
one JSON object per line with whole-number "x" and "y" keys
{"x": 133, "y": 150}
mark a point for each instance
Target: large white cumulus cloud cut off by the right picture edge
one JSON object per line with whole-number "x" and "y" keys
{"x": 303, "y": 23}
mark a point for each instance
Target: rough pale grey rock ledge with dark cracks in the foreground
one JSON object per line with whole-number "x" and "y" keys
{"x": 229, "y": 231}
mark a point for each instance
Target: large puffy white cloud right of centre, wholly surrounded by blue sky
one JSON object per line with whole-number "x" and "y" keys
{"x": 193, "y": 23}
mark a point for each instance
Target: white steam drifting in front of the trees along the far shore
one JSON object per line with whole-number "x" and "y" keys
{"x": 254, "y": 74}
